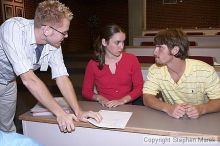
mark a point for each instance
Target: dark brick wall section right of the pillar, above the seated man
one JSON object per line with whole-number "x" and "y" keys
{"x": 188, "y": 14}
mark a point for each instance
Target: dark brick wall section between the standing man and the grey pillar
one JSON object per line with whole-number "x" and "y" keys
{"x": 80, "y": 34}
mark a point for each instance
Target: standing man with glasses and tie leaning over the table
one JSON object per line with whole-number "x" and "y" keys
{"x": 27, "y": 45}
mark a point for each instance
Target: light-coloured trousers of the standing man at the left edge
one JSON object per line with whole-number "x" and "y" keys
{"x": 8, "y": 98}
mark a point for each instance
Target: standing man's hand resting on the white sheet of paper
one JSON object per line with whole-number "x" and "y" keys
{"x": 85, "y": 115}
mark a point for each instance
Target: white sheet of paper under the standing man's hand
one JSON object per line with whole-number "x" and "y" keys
{"x": 112, "y": 119}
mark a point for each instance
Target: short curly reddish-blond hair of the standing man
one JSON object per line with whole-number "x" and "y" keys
{"x": 52, "y": 12}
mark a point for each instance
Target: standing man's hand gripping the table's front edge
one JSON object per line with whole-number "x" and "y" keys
{"x": 65, "y": 122}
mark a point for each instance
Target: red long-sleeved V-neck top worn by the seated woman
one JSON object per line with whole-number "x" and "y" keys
{"x": 127, "y": 79}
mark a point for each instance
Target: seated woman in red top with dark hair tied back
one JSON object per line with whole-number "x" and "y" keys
{"x": 116, "y": 75}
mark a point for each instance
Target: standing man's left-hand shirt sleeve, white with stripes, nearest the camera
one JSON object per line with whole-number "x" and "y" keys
{"x": 13, "y": 45}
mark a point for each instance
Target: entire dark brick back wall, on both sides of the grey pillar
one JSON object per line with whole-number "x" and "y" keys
{"x": 189, "y": 14}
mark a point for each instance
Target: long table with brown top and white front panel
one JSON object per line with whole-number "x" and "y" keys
{"x": 145, "y": 127}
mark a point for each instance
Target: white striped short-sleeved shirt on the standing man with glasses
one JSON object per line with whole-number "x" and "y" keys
{"x": 17, "y": 51}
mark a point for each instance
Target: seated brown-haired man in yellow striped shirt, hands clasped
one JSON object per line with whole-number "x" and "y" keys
{"x": 188, "y": 87}
